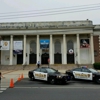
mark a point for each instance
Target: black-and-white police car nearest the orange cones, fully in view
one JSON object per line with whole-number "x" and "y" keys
{"x": 48, "y": 74}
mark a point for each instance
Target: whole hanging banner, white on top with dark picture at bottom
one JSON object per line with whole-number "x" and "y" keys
{"x": 18, "y": 47}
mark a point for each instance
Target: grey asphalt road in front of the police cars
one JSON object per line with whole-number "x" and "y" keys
{"x": 37, "y": 90}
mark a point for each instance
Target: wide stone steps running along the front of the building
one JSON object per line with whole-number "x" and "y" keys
{"x": 30, "y": 67}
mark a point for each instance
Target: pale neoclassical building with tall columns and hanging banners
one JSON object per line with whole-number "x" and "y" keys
{"x": 63, "y": 42}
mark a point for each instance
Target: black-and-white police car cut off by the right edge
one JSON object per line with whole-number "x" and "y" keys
{"x": 85, "y": 74}
